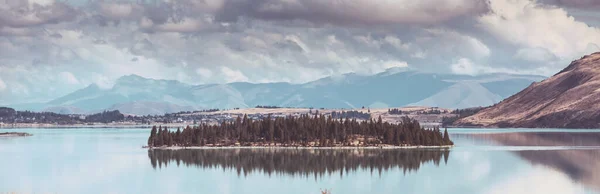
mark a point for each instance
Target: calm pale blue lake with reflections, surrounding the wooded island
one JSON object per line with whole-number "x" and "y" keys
{"x": 483, "y": 161}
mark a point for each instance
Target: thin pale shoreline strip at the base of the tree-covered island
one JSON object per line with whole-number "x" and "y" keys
{"x": 295, "y": 148}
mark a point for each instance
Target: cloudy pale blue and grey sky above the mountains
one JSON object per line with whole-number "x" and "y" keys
{"x": 49, "y": 48}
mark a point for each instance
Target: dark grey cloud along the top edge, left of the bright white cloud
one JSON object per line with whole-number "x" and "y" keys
{"x": 346, "y": 12}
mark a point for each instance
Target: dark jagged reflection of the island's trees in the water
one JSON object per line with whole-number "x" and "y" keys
{"x": 299, "y": 162}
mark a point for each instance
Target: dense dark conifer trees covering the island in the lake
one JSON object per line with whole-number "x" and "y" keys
{"x": 306, "y": 131}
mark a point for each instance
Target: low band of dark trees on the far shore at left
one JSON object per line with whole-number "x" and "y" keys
{"x": 9, "y": 115}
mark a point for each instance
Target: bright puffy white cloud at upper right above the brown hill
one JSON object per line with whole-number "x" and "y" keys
{"x": 525, "y": 23}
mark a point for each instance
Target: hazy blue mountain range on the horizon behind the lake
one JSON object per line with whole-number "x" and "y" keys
{"x": 395, "y": 87}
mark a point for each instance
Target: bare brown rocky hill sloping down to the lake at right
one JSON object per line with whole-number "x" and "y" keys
{"x": 569, "y": 99}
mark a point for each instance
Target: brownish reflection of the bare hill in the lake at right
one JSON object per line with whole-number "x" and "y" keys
{"x": 576, "y": 154}
